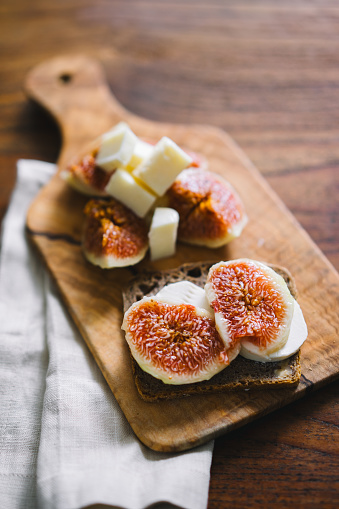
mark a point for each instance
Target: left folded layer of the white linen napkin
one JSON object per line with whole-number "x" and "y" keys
{"x": 23, "y": 352}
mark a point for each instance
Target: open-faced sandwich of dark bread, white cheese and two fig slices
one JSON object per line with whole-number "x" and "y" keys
{"x": 213, "y": 327}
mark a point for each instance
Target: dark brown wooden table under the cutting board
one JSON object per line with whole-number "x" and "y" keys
{"x": 268, "y": 73}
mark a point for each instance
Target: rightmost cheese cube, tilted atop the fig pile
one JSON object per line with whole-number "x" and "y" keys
{"x": 163, "y": 166}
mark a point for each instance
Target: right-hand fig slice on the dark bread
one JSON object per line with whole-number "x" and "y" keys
{"x": 252, "y": 304}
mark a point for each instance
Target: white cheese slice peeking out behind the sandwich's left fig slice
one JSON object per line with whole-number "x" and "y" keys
{"x": 184, "y": 292}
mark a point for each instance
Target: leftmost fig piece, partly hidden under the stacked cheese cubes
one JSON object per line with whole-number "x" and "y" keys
{"x": 85, "y": 176}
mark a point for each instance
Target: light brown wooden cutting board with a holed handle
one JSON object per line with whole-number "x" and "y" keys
{"x": 75, "y": 92}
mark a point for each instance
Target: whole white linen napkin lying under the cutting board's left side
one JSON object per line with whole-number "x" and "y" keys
{"x": 64, "y": 440}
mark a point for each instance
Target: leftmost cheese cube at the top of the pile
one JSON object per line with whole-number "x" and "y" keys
{"x": 116, "y": 148}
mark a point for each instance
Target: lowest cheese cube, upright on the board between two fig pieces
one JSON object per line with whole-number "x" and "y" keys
{"x": 163, "y": 233}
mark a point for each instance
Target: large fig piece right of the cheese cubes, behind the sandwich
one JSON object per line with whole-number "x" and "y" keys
{"x": 211, "y": 212}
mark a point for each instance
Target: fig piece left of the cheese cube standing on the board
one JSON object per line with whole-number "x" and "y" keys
{"x": 113, "y": 235}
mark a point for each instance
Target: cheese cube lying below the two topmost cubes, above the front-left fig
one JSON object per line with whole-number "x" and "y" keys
{"x": 128, "y": 191}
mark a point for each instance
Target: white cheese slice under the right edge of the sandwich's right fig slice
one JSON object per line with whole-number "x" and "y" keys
{"x": 297, "y": 336}
